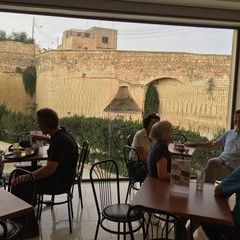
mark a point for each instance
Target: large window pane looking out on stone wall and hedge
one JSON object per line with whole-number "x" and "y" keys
{"x": 102, "y": 76}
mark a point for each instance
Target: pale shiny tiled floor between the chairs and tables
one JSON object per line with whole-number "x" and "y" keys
{"x": 54, "y": 224}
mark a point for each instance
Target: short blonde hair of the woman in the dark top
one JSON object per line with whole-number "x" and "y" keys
{"x": 161, "y": 131}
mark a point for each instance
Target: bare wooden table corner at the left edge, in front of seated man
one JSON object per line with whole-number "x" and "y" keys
{"x": 11, "y": 206}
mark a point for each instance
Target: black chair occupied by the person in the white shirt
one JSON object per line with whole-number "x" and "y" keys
{"x": 137, "y": 170}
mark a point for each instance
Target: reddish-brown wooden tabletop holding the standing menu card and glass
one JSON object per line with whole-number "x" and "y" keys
{"x": 197, "y": 205}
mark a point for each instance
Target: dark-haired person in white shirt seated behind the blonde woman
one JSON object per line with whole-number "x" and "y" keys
{"x": 141, "y": 141}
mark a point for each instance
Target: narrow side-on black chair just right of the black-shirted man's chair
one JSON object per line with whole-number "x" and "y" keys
{"x": 83, "y": 156}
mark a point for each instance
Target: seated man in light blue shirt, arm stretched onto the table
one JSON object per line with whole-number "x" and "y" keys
{"x": 219, "y": 167}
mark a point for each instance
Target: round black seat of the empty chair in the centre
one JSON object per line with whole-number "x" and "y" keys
{"x": 118, "y": 213}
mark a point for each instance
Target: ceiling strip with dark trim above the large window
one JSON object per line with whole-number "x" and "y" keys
{"x": 212, "y": 13}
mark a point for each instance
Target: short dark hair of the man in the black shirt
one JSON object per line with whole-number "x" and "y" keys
{"x": 49, "y": 117}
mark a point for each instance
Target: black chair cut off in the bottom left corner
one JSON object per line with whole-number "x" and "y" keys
{"x": 9, "y": 230}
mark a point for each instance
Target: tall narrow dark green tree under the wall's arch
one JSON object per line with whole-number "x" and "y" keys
{"x": 151, "y": 104}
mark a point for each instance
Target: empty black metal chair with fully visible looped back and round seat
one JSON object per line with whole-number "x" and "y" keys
{"x": 104, "y": 177}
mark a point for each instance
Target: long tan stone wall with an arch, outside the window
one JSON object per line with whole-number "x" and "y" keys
{"x": 193, "y": 88}
